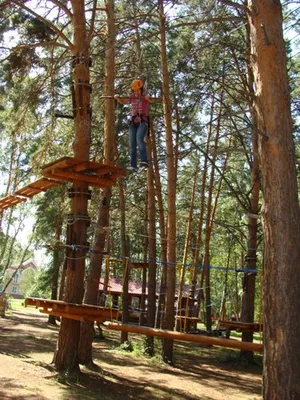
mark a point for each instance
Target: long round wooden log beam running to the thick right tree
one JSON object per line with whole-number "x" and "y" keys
{"x": 209, "y": 340}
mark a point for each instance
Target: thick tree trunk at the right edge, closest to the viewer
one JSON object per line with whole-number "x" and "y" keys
{"x": 280, "y": 213}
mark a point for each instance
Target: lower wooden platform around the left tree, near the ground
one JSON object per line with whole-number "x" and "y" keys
{"x": 79, "y": 312}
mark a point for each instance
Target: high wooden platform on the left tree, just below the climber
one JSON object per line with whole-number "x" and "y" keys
{"x": 69, "y": 169}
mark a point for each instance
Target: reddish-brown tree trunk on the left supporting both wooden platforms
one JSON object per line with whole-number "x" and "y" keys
{"x": 66, "y": 356}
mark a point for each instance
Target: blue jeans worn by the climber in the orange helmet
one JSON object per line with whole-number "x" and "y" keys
{"x": 137, "y": 133}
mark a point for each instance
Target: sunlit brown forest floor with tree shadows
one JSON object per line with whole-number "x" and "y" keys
{"x": 27, "y": 344}
